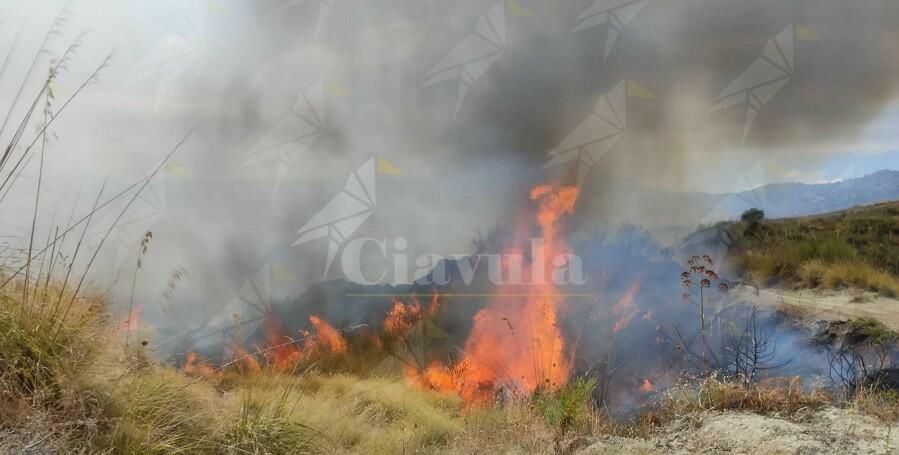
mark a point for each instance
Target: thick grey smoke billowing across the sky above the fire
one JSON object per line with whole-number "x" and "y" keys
{"x": 367, "y": 77}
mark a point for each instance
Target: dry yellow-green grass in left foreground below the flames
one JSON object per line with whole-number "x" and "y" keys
{"x": 125, "y": 402}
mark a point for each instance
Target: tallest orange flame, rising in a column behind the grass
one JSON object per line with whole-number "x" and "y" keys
{"x": 515, "y": 345}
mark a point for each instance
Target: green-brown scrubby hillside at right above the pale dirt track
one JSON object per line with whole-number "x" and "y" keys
{"x": 854, "y": 248}
